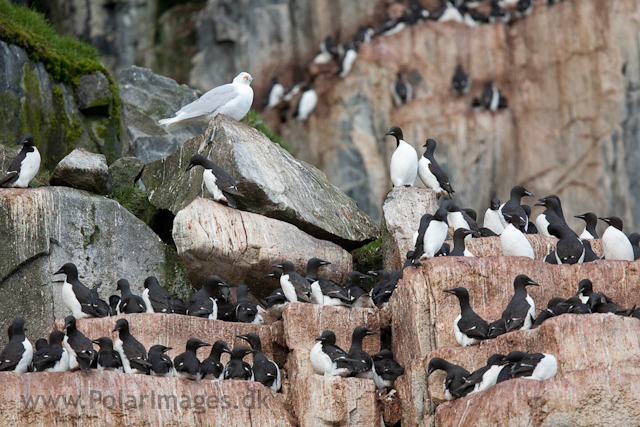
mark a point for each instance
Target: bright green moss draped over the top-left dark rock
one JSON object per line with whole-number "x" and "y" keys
{"x": 65, "y": 58}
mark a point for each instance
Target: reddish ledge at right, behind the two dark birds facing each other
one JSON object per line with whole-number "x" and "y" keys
{"x": 423, "y": 315}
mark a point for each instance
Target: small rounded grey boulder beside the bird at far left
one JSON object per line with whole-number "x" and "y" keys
{"x": 82, "y": 170}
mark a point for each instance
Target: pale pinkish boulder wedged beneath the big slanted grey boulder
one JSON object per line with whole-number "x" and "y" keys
{"x": 241, "y": 247}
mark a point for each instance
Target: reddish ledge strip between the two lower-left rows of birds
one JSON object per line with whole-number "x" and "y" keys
{"x": 173, "y": 330}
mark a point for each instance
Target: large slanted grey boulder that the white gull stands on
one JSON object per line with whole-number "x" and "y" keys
{"x": 273, "y": 182}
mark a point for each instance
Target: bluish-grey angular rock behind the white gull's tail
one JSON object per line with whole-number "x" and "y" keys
{"x": 146, "y": 98}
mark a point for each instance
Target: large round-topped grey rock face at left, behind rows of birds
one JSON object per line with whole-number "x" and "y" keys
{"x": 44, "y": 228}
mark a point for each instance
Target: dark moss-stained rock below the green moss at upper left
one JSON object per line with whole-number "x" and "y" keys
{"x": 33, "y": 102}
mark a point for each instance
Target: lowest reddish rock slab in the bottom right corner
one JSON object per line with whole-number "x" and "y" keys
{"x": 582, "y": 398}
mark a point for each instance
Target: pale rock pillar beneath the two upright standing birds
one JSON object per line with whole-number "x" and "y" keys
{"x": 401, "y": 212}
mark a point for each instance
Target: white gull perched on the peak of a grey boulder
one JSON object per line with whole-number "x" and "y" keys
{"x": 233, "y": 100}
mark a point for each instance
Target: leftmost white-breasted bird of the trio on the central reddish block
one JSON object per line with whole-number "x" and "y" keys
{"x": 328, "y": 359}
